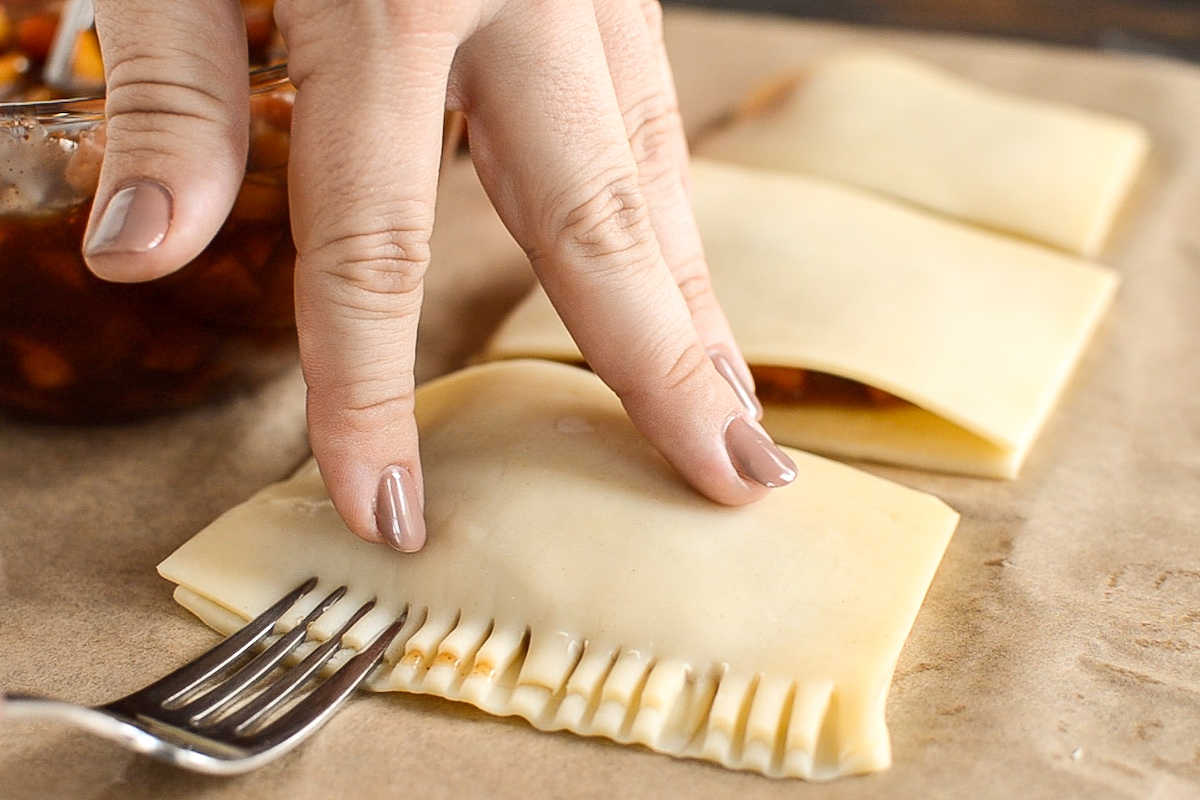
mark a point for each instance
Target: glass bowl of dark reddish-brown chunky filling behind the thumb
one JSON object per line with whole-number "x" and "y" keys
{"x": 79, "y": 350}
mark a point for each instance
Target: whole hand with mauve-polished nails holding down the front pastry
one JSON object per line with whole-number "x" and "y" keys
{"x": 577, "y": 139}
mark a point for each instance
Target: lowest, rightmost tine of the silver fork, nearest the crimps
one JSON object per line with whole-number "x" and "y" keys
{"x": 311, "y": 713}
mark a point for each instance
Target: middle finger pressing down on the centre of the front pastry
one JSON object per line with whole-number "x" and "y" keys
{"x": 551, "y": 148}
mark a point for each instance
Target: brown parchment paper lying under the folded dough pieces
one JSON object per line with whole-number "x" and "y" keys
{"x": 1058, "y": 654}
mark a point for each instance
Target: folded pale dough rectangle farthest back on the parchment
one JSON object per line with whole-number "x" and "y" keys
{"x": 897, "y": 125}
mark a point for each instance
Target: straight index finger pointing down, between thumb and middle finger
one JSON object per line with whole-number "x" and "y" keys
{"x": 365, "y": 151}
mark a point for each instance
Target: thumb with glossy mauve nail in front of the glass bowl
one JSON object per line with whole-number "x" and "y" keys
{"x": 177, "y": 134}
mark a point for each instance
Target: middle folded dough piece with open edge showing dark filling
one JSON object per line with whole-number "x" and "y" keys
{"x": 977, "y": 332}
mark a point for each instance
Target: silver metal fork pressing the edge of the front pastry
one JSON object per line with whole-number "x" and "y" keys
{"x": 223, "y": 714}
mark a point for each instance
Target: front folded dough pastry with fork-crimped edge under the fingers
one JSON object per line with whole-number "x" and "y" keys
{"x": 573, "y": 579}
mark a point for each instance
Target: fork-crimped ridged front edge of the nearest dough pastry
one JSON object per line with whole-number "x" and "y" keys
{"x": 725, "y": 738}
